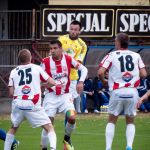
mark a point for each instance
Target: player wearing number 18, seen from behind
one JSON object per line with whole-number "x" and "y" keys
{"x": 125, "y": 69}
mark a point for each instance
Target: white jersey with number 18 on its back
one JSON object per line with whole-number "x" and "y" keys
{"x": 123, "y": 66}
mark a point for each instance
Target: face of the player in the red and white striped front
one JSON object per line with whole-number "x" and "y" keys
{"x": 55, "y": 50}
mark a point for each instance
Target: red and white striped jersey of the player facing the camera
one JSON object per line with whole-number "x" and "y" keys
{"x": 60, "y": 70}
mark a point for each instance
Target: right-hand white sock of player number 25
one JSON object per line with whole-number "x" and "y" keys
{"x": 52, "y": 140}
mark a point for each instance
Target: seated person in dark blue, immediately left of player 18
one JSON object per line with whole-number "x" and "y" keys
{"x": 100, "y": 97}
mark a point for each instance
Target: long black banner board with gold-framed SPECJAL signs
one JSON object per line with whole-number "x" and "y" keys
{"x": 97, "y": 21}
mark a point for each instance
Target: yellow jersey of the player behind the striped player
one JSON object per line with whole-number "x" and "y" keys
{"x": 75, "y": 48}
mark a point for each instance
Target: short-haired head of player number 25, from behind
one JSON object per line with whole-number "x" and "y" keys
{"x": 24, "y": 56}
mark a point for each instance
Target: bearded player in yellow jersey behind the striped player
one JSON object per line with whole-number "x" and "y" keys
{"x": 75, "y": 47}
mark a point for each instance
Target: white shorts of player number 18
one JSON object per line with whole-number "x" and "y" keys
{"x": 123, "y": 100}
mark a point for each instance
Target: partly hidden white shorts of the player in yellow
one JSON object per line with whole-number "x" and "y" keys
{"x": 73, "y": 89}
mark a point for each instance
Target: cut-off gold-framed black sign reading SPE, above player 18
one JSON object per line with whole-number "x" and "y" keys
{"x": 135, "y": 22}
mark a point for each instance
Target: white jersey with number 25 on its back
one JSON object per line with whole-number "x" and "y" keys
{"x": 26, "y": 82}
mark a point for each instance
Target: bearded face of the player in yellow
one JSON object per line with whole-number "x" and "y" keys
{"x": 74, "y": 31}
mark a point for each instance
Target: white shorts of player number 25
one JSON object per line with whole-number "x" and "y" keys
{"x": 36, "y": 117}
